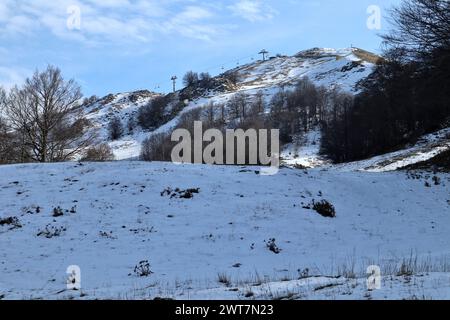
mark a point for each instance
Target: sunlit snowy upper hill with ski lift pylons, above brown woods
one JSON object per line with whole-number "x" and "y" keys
{"x": 328, "y": 67}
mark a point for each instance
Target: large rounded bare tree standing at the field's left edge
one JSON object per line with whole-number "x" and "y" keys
{"x": 43, "y": 113}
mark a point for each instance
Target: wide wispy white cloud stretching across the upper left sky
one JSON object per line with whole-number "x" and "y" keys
{"x": 112, "y": 21}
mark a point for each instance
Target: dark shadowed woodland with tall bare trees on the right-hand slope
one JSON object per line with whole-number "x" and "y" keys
{"x": 409, "y": 92}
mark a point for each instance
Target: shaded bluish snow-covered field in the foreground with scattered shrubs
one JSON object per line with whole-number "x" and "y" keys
{"x": 115, "y": 215}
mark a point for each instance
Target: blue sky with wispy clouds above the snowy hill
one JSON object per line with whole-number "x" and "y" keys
{"x": 125, "y": 45}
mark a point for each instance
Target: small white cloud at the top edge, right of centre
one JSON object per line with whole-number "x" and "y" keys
{"x": 253, "y": 10}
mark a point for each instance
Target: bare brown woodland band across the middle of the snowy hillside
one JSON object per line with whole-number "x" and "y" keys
{"x": 293, "y": 111}
